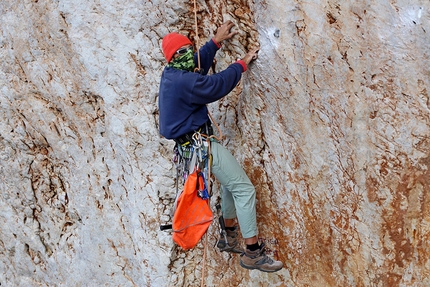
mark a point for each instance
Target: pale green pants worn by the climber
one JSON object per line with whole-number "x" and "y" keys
{"x": 238, "y": 193}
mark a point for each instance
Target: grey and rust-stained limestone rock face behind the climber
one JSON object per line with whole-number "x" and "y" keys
{"x": 331, "y": 123}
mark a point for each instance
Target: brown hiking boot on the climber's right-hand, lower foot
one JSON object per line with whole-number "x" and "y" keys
{"x": 259, "y": 260}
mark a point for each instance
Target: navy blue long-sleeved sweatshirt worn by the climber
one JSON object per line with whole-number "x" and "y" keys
{"x": 183, "y": 95}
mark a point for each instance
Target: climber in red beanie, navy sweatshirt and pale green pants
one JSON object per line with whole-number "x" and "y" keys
{"x": 183, "y": 96}
